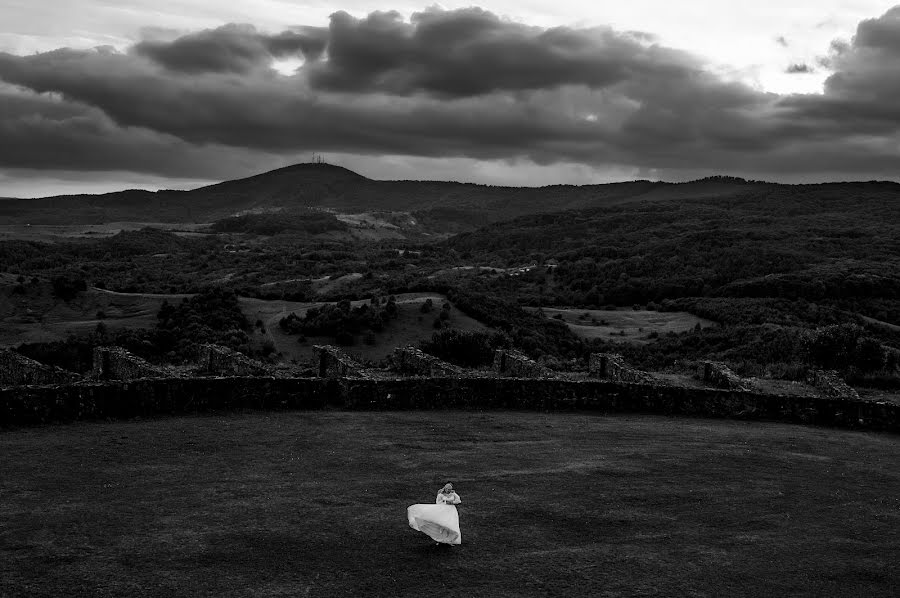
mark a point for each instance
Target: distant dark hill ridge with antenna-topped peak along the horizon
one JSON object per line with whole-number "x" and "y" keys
{"x": 447, "y": 207}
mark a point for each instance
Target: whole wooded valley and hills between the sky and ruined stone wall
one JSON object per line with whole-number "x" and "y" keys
{"x": 767, "y": 278}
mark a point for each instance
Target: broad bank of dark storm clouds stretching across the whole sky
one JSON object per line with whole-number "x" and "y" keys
{"x": 461, "y": 84}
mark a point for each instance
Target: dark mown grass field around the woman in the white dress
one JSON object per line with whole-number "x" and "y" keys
{"x": 314, "y": 504}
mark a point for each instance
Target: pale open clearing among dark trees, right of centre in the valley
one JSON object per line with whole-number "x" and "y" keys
{"x": 633, "y": 326}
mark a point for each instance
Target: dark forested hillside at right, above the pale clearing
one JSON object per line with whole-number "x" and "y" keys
{"x": 821, "y": 248}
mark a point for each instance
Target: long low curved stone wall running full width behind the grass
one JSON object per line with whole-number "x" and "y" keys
{"x": 33, "y": 405}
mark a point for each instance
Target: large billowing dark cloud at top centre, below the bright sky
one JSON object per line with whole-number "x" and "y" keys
{"x": 472, "y": 52}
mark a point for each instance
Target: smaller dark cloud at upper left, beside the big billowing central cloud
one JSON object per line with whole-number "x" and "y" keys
{"x": 232, "y": 48}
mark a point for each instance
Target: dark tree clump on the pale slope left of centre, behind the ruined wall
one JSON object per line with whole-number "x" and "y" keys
{"x": 341, "y": 320}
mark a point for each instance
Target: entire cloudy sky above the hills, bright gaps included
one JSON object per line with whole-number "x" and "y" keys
{"x": 97, "y": 95}
